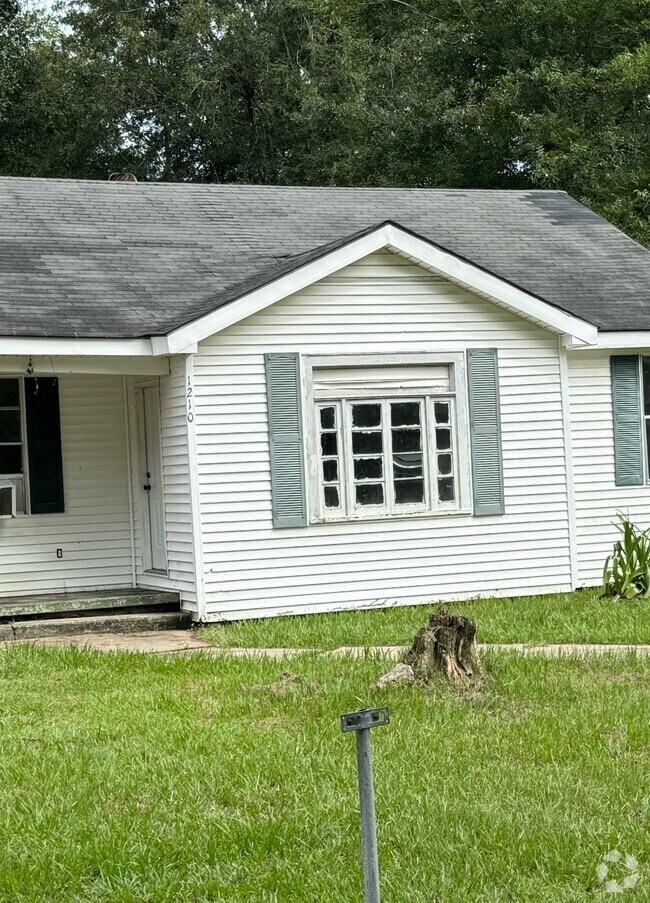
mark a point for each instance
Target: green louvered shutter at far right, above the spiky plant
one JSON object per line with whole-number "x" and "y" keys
{"x": 628, "y": 421}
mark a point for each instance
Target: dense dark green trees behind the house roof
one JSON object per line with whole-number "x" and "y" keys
{"x": 456, "y": 93}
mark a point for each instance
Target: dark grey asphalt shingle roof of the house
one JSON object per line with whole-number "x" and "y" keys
{"x": 118, "y": 259}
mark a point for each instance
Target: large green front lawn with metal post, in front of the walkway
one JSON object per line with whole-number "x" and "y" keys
{"x": 189, "y": 779}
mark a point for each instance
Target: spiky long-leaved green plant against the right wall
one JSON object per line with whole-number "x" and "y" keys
{"x": 626, "y": 574}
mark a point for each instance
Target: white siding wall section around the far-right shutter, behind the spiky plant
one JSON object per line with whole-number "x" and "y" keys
{"x": 597, "y": 497}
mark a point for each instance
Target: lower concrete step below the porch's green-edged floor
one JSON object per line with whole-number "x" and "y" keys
{"x": 138, "y": 622}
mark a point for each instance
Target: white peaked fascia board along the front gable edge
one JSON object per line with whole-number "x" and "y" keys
{"x": 386, "y": 236}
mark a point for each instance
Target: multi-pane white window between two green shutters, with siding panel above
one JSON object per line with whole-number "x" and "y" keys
{"x": 387, "y": 441}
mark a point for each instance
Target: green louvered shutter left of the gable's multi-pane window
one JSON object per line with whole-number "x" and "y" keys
{"x": 285, "y": 436}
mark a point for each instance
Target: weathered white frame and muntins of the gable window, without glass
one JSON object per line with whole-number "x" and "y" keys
{"x": 457, "y": 395}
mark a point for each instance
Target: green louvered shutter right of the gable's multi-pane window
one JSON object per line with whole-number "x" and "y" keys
{"x": 485, "y": 430}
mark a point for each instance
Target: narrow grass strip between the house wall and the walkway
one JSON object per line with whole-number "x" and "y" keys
{"x": 580, "y": 617}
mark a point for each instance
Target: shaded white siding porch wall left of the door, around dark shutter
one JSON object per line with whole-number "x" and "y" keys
{"x": 94, "y": 532}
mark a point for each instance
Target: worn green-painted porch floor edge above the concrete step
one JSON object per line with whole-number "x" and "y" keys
{"x": 62, "y": 603}
